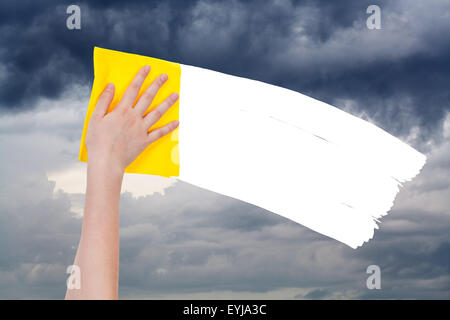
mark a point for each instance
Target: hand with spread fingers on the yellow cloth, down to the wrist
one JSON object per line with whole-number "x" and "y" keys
{"x": 118, "y": 137}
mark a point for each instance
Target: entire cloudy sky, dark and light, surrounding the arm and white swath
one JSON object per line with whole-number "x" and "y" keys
{"x": 177, "y": 240}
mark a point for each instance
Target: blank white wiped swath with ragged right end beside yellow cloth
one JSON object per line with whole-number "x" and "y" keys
{"x": 290, "y": 154}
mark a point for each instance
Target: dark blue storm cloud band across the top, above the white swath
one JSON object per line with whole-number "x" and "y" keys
{"x": 398, "y": 76}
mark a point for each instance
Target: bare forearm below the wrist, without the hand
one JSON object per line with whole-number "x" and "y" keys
{"x": 98, "y": 250}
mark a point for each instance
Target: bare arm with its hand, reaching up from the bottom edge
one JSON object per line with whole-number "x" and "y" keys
{"x": 113, "y": 141}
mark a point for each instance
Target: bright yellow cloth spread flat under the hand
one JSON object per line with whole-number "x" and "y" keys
{"x": 161, "y": 157}
